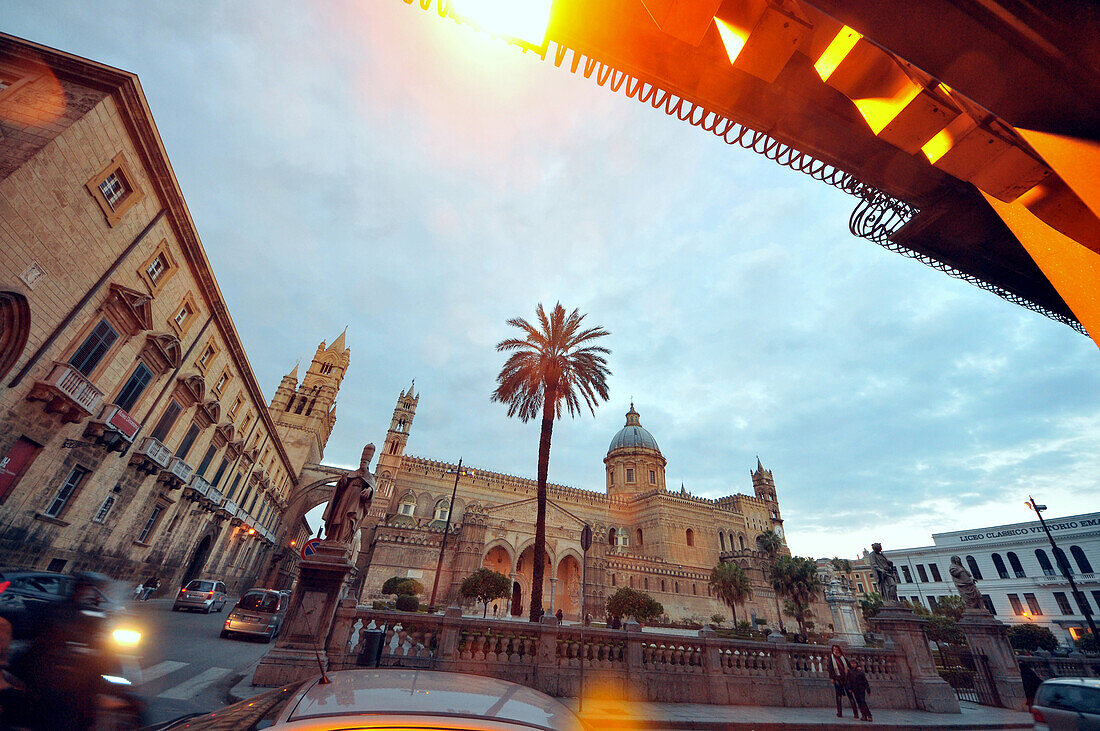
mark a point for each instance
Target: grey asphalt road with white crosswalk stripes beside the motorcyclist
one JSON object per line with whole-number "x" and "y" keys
{"x": 186, "y": 667}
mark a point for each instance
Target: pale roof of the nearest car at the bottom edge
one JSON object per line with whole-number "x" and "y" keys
{"x": 432, "y": 693}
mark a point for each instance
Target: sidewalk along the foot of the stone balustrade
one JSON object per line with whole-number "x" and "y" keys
{"x": 625, "y": 716}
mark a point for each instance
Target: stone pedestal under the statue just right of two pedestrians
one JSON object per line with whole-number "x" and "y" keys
{"x": 931, "y": 693}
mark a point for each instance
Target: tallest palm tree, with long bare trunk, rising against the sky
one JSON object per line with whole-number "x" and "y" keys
{"x": 556, "y": 364}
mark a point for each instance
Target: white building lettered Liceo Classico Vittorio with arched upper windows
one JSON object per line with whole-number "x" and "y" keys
{"x": 1016, "y": 570}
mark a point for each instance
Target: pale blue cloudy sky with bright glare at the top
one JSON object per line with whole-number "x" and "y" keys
{"x": 370, "y": 165}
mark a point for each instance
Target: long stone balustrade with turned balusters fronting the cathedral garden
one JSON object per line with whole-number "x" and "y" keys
{"x": 631, "y": 663}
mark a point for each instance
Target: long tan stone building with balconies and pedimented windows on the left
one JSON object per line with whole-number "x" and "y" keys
{"x": 135, "y": 439}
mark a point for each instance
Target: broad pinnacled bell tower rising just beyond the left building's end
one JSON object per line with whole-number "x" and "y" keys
{"x": 305, "y": 414}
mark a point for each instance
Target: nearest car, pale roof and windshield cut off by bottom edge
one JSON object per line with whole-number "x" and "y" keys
{"x": 394, "y": 700}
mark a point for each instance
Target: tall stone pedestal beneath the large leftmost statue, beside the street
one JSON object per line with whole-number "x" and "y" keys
{"x": 301, "y": 651}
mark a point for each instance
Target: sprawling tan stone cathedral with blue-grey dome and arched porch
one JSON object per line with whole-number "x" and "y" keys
{"x": 647, "y": 538}
